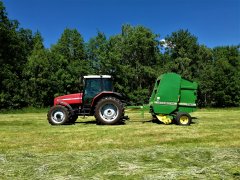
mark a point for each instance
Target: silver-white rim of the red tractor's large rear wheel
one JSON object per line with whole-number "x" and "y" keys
{"x": 109, "y": 112}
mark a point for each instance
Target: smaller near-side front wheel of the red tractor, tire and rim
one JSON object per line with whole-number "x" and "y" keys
{"x": 58, "y": 115}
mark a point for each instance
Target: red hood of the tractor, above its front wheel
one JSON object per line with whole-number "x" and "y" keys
{"x": 69, "y": 99}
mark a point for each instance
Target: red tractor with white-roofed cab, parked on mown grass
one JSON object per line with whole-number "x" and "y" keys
{"x": 97, "y": 99}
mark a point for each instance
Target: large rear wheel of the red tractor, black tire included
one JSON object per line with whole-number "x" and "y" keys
{"x": 109, "y": 111}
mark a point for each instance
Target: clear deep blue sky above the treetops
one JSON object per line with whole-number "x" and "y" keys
{"x": 213, "y": 22}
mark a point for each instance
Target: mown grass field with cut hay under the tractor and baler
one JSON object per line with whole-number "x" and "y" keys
{"x": 208, "y": 149}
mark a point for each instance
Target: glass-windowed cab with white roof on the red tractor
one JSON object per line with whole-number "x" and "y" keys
{"x": 94, "y": 85}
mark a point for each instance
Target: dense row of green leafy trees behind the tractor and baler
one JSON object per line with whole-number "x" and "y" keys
{"x": 32, "y": 75}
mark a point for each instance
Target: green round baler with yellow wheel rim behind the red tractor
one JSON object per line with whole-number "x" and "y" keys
{"x": 173, "y": 98}
